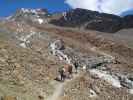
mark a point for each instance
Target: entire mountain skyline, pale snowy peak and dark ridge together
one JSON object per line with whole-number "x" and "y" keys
{"x": 75, "y": 18}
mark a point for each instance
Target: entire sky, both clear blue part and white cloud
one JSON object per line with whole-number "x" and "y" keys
{"x": 8, "y": 7}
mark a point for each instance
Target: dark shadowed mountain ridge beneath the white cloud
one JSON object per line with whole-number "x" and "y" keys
{"x": 87, "y": 19}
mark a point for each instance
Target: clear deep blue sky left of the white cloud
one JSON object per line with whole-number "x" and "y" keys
{"x": 7, "y": 7}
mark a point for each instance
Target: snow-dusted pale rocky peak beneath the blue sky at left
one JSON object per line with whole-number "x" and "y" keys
{"x": 37, "y": 16}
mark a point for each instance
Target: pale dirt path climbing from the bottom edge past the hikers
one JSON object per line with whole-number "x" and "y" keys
{"x": 59, "y": 87}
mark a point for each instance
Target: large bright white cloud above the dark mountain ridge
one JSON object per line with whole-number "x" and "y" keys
{"x": 107, "y": 6}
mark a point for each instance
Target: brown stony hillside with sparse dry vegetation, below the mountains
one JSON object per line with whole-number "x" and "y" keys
{"x": 28, "y": 73}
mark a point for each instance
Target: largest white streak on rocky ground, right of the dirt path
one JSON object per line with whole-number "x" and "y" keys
{"x": 113, "y": 80}
